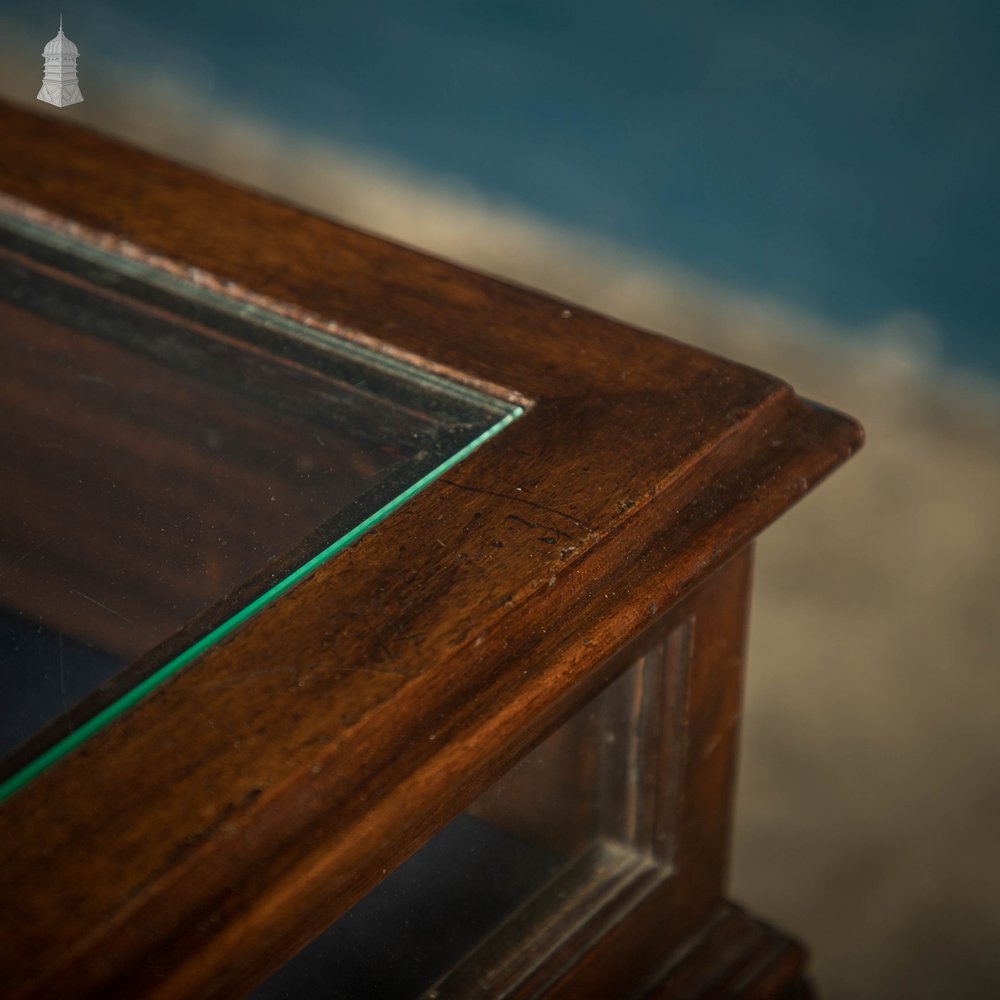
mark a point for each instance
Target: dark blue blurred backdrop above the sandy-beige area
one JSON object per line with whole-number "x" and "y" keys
{"x": 840, "y": 155}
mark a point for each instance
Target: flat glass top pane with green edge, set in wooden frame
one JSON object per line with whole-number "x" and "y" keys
{"x": 162, "y": 447}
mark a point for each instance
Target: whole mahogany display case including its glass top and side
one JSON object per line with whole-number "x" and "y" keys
{"x": 343, "y": 588}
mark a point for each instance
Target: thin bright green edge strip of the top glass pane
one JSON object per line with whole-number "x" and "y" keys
{"x": 49, "y": 757}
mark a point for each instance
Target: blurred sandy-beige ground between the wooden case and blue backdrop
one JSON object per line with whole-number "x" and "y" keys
{"x": 869, "y": 802}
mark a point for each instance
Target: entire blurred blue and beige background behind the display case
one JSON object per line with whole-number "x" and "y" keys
{"x": 811, "y": 188}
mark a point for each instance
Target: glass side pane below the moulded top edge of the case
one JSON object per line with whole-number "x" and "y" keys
{"x": 584, "y": 817}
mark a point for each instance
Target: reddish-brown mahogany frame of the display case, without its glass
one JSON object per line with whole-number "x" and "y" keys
{"x": 192, "y": 846}
